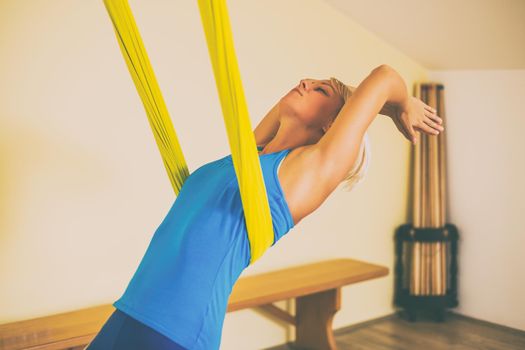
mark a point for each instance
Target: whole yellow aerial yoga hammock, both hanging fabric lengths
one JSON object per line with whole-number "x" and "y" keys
{"x": 214, "y": 15}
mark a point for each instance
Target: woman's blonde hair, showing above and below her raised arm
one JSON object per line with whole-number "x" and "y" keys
{"x": 360, "y": 167}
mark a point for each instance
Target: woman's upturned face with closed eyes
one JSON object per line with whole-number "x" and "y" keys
{"x": 314, "y": 102}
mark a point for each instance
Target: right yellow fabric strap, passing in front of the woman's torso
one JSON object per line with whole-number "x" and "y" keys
{"x": 244, "y": 152}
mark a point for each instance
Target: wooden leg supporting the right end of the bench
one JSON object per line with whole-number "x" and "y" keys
{"x": 314, "y": 314}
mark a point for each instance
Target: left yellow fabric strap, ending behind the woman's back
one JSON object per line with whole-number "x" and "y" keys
{"x": 141, "y": 71}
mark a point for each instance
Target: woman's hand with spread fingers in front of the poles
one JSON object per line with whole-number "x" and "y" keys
{"x": 413, "y": 115}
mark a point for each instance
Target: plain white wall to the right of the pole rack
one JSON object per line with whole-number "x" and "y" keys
{"x": 486, "y": 171}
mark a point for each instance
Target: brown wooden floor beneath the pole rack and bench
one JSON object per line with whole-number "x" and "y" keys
{"x": 395, "y": 332}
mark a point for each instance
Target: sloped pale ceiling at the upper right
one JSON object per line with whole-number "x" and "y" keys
{"x": 447, "y": 34}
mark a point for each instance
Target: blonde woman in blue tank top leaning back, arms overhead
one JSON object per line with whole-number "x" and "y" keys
{"x": 313, "y": 139}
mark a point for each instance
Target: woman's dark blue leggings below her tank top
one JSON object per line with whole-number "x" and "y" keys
{"x": 124, "y": 332}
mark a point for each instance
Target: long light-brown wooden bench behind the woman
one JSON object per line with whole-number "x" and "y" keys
{"x": 316, "y": 288}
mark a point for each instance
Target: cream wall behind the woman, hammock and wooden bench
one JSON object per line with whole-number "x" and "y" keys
{"x": 82, "y": 184}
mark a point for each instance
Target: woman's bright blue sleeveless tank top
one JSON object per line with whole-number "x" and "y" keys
{"x": 183, "y": 282}
